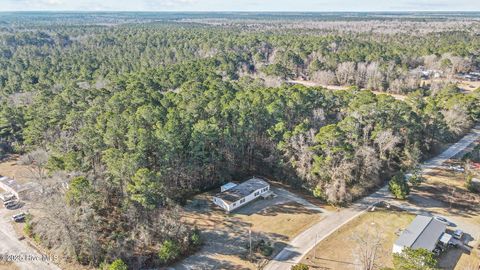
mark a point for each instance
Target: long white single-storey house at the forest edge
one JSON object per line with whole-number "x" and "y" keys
{"x": 234, "y": 196}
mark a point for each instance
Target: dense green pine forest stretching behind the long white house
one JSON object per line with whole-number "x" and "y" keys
{"x": 138, "y": 117}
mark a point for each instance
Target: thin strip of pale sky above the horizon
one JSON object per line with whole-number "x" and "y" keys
{"x": 240, "y": 5}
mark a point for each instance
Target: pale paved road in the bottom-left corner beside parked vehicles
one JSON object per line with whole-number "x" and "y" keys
{"x": 29, "y": 258}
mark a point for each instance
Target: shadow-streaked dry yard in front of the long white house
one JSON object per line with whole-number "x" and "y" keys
{"x": 275, "y": 221}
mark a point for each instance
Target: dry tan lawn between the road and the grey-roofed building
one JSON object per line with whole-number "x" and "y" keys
{"x": 337, "y": 251}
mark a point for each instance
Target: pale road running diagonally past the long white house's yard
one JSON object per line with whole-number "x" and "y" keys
{"x": 304, "y": 242}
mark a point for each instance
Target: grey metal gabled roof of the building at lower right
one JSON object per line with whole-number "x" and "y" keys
{"x": 423, "y": 232}
